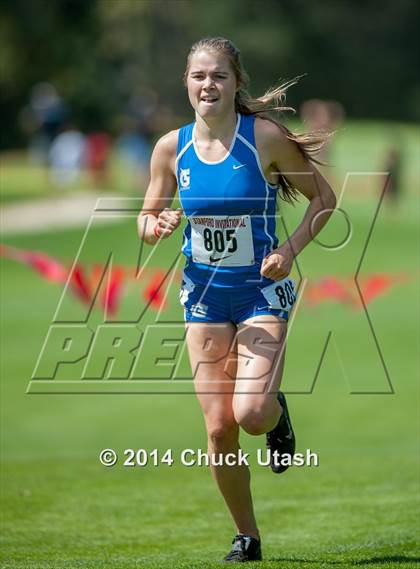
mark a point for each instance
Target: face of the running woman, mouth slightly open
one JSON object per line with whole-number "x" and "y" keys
{"x": 211, "y": 84}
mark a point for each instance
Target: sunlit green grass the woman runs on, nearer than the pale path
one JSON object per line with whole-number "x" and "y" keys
{"x": 63, "y": 509}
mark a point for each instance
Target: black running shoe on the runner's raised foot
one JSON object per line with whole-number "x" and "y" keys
{"x": 281, "y": 438}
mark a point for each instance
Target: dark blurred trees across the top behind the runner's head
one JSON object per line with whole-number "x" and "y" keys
{"x": 98, "y": 53}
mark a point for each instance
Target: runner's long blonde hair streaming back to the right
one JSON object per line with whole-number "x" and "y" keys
{"x": 309, "y": 143}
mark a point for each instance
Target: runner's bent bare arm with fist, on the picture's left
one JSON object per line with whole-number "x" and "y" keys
{"x": 156, "y": 220}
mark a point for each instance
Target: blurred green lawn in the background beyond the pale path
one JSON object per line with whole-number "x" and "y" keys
{"x": 358, "y": 146}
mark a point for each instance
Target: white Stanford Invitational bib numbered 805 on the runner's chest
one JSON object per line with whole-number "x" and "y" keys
{"x": 222, "y": 240}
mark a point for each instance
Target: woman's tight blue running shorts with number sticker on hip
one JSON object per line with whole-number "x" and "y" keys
{"x": 204, "y": 303}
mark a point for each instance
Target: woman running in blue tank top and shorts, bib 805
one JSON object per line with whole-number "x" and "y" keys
{"x": 228, "y": 167}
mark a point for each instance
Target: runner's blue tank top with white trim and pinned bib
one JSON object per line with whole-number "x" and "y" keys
{"x": 230, "y": 208}
